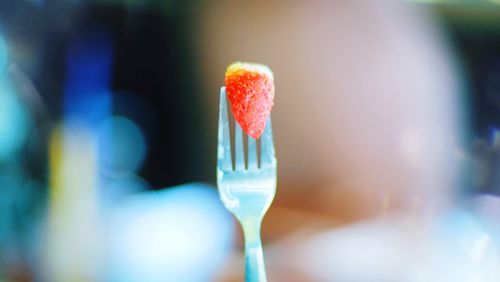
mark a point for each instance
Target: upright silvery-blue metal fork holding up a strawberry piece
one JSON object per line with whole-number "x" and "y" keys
{"x": 246, "y": 191}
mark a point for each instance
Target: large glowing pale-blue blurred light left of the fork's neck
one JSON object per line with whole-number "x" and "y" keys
{"x": 180, "y": 234}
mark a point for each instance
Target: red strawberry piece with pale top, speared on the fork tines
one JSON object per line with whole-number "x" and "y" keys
{"x": 250, "y": 89}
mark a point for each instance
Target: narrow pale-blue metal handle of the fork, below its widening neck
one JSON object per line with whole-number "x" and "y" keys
{"x": 255, "y": 270}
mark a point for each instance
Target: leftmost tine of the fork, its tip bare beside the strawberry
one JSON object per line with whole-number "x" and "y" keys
{"x": 224, "y": 146}
